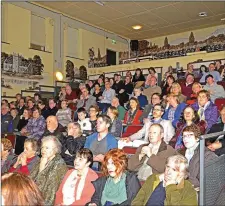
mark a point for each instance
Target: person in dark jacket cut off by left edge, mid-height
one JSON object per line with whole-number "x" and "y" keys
{"x": 6, "y": 119}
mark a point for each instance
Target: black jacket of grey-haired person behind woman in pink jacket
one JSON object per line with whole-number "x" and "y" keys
{"x": 72, "y": 145}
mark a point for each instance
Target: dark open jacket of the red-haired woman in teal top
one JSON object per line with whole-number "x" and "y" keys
{"x": 132, "y": 186}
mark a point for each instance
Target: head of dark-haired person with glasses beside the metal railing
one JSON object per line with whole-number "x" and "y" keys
{"x": 191, "y": 135}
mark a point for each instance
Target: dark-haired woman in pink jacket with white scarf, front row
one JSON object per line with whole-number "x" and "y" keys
{"x": 76, "y": 187}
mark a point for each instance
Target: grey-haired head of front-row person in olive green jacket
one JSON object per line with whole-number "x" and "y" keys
{"x": 176, "y": 168}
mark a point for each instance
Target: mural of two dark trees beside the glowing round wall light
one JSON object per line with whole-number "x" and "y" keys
{"x": 73, "y": 73}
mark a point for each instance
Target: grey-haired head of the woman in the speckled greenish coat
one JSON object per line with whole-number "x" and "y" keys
{"x": 50, "y": 146}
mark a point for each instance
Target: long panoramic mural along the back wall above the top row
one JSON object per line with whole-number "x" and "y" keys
{"x": 215, "y": 42}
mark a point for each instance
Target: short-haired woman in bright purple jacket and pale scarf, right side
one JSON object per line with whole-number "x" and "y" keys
{"x": 206, "y": 109}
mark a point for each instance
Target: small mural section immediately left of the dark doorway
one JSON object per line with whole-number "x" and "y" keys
{"x": 98, "y": 61}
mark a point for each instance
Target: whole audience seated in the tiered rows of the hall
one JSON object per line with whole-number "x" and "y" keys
{"x": 72, "y": 148}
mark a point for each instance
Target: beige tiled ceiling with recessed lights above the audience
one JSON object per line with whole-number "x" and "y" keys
{"x": 156, "y": 18}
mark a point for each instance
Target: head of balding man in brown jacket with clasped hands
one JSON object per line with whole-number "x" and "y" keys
{"x": 156, "y": 133}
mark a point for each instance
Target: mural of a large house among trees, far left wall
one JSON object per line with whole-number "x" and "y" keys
{"x": 17, "y": 70}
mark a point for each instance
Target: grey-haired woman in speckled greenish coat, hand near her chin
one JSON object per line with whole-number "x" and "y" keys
{"x": 50, "y": 169}
